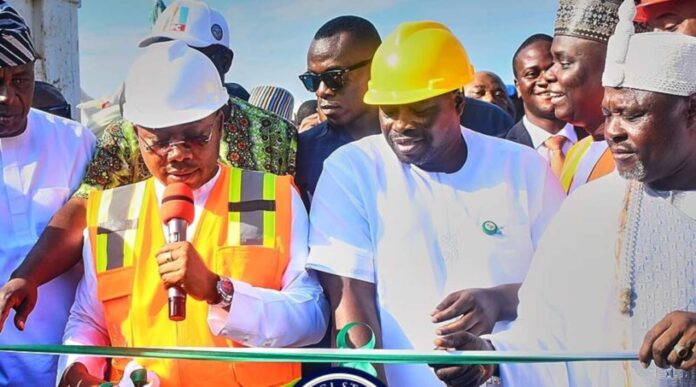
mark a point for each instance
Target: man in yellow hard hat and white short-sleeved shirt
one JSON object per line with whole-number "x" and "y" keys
{"x": 401, "y": 223}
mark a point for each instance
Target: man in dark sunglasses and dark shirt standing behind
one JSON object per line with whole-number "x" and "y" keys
{"x": 338, "y": 68}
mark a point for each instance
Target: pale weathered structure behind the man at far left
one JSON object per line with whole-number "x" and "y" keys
{"x": 53, "y": 25}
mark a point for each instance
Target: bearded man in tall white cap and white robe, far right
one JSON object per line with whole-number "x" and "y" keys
{"x": 626, "y": 281}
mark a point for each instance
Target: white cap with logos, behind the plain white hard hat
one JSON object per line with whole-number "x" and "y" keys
{"x": 192, "y": 22}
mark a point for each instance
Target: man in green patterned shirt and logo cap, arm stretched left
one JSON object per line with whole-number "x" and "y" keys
{"x": 252, "y": 138}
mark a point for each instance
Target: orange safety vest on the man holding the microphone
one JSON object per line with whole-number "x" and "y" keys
{"x": 243, "y": 233}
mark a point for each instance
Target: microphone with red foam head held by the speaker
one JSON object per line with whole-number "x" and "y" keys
{"x": 177, "y": 213}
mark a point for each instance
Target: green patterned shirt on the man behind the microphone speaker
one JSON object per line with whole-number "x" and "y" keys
{"x": 252, "y": 138}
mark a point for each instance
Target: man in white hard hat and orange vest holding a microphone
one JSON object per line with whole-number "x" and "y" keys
{"x": 242, "y": 265}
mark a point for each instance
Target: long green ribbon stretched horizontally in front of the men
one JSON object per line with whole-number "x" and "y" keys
{"x": 321, "y": 355}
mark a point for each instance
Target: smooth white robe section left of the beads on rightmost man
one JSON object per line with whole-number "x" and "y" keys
{"x": 569, "y": 300}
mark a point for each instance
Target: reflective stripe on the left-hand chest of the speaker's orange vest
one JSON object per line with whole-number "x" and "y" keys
{"x": 117, "y": 224}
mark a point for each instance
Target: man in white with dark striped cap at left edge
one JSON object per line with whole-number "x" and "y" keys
{"x": 42, "y": 159}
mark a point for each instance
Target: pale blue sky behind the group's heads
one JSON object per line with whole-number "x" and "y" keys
{"x": 270, "y": 37}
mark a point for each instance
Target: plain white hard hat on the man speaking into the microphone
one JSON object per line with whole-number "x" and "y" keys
{"x": 172, "y": 84}
